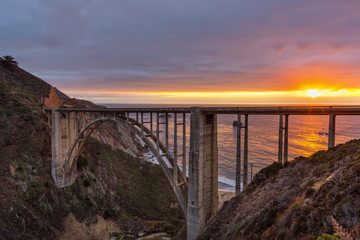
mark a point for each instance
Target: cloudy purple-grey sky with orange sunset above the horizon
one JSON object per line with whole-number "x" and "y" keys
{"x": 189, "y": 51}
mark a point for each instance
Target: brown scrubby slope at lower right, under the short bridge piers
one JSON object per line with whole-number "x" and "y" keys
{"x": 296, "y": 201}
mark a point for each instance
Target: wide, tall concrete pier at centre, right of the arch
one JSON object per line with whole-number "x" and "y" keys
{"x": 203, "y": 172}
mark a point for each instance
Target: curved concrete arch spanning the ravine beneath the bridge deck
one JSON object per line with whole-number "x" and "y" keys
{"x": 69, "y": 170}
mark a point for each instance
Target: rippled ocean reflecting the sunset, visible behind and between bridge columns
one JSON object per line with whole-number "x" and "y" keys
{"x": 307, "y": 135}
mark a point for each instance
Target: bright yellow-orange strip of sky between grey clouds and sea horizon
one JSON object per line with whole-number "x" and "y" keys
{"x": 349, "y": 96}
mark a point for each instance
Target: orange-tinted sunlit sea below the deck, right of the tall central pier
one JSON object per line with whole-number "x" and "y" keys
{"x": 306, "y": 136}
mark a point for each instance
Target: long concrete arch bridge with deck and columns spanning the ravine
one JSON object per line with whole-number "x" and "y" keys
{"x": 197, "y": 193}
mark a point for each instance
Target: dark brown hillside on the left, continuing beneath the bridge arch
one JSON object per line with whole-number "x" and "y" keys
{"x": 117, "y": 192}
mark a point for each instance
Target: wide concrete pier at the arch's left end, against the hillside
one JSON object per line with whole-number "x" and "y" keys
{"x": 63, "y": 134}
